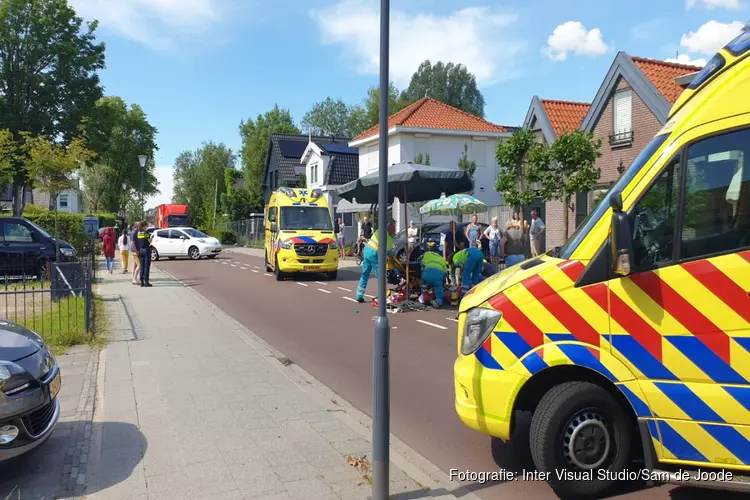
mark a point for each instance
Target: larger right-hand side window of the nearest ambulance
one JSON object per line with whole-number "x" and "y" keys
{"x": 717, "y": 196}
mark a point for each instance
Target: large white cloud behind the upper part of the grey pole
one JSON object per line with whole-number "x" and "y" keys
{"x": 475, "y": 36}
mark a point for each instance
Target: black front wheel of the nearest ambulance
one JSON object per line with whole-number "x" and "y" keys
{"x": 578, "y": 427}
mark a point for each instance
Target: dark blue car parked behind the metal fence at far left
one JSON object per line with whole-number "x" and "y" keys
{"x": 26, "y": 249}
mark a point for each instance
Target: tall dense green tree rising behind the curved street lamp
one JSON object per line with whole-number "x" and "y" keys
{"x": 118, "y": 134}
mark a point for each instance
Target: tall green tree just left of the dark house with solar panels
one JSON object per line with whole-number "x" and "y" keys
{"x": 255, "y": 136}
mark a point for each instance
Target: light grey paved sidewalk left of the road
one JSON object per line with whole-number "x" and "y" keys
{"x": 194, "y": 405}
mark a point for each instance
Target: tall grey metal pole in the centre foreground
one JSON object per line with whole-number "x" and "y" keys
{"x": 381, "y": 415}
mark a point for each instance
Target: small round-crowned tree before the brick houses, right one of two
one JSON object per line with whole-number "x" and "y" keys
{"x": 570, "y": 169}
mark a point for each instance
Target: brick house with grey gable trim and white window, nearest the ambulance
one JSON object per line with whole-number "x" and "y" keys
{"x": 629, "y": 108}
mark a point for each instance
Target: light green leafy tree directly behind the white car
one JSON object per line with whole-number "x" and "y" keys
{"x": 199, "y": 177}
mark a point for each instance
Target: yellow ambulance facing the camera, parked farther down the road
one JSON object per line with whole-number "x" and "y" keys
{"x": 299, "y": 234}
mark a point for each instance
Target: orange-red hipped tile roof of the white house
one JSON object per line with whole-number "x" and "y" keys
{"x": 432, "y": 114}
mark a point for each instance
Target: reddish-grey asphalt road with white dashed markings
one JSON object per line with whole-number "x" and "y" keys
{"x": 319, "y": 326}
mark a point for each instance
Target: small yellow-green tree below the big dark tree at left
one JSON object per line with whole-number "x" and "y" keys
{"x": 51, "y": 164}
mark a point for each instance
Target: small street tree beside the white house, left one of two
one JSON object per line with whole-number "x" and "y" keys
{"x": 521, "y": 159}
